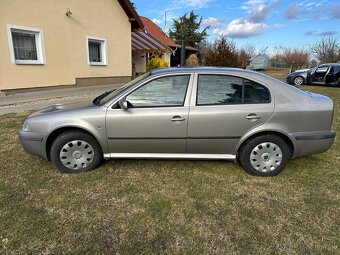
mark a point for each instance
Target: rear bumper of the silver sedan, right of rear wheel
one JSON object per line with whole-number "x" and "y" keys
{"x": 308, "y": 143}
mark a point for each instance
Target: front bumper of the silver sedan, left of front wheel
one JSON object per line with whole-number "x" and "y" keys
{"x": 34, "y": 143}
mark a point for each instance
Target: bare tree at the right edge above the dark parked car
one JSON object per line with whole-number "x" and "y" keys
{"x": 327, "y": 49}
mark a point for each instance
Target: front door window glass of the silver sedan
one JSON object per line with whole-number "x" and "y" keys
{"x": 162, "y": 92}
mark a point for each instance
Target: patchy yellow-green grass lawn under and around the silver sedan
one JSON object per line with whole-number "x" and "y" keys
{"x": 176, "y": 207}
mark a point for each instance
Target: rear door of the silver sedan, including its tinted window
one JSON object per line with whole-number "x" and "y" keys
{"x": 224, "y": 108}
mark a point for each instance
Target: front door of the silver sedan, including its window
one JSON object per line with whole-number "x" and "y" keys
{"x": 156, "y": 120}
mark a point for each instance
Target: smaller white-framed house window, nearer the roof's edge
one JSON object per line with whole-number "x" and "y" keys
{"x": 97, "y": 52}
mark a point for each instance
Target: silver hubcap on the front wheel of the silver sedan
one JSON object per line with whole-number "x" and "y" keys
{"x": 76, "y": 155}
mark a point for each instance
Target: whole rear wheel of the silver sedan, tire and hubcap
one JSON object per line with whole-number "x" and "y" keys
{"x": 265, "y": 155}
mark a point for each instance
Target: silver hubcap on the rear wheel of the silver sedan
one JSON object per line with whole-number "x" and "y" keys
{"x": 266, "y": 157}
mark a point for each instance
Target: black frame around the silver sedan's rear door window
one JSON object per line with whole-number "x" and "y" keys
{"x": 243, "y": 90}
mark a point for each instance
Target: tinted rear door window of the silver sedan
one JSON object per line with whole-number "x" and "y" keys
{"x": 225, "y": 90}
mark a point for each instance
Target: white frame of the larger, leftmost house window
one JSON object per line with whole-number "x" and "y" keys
{"x": 39, "y": 43}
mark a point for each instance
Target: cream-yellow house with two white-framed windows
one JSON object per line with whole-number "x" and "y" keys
{"x": 65, "y": 42}
